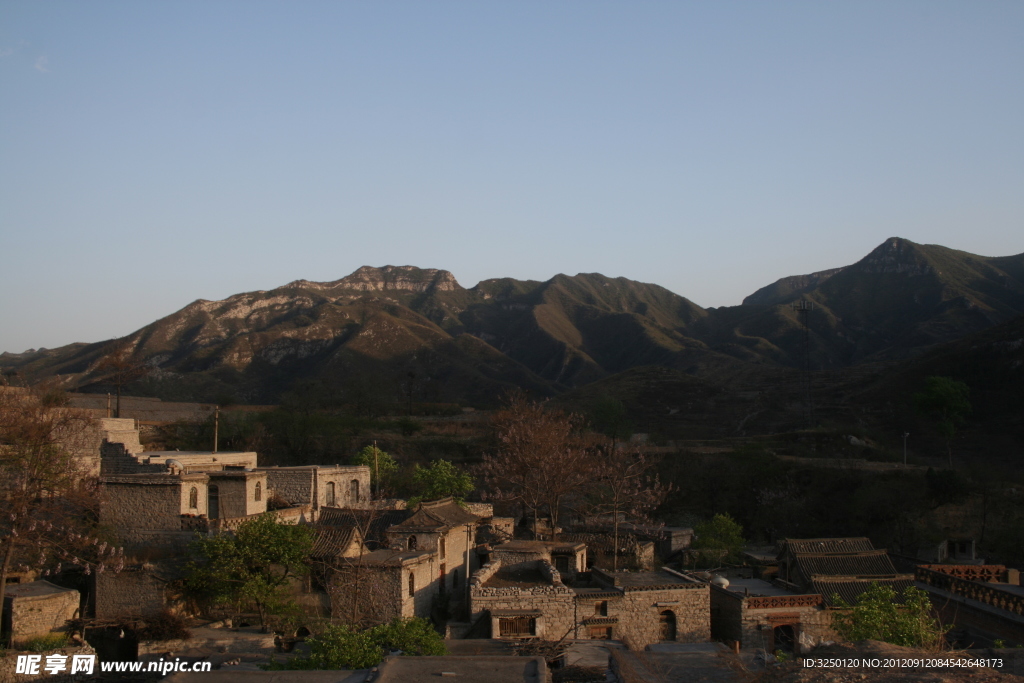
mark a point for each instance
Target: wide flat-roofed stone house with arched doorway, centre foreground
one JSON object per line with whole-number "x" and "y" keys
{"x": 531, "y": 601}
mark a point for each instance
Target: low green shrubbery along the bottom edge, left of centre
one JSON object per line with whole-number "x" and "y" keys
{"x": 340, "y": 647}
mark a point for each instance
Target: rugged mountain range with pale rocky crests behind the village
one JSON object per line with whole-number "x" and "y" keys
{"x": 403, "y": 333}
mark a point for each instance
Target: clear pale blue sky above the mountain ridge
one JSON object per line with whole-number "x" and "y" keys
{"x": 157, "y": 153}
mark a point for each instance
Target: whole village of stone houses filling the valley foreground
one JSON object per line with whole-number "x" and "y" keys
{"x": 604, "y": 597}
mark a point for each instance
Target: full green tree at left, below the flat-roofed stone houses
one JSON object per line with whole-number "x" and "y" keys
{"x": 251, "y": 569}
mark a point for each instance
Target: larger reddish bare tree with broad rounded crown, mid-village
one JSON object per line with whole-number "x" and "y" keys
{"x": 541, "y": 459}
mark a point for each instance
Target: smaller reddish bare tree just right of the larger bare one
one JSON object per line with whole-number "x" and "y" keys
{"x": 625, "y": 486}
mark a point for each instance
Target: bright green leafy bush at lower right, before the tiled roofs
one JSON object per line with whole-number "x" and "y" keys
{"x": 878, "y": 616}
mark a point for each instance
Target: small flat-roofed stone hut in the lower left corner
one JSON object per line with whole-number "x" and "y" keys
{"x": 37, "y": 609}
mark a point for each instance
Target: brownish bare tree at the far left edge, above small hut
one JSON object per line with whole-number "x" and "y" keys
{"x": 47, "y": 497}
